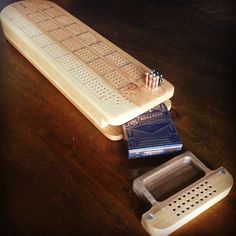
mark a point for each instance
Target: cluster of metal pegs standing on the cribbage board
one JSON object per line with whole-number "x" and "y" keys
{"x": 153, "y": 79}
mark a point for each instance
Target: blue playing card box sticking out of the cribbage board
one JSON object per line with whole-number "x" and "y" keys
{"x": 152, "y": 133}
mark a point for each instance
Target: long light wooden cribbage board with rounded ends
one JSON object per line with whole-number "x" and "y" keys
{"x": 101, "y": 80}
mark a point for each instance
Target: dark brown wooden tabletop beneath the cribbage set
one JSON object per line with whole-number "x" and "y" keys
{"x": 60, "y": 176}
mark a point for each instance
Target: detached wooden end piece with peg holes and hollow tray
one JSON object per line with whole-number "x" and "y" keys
{"x": 178, "y": 191}
